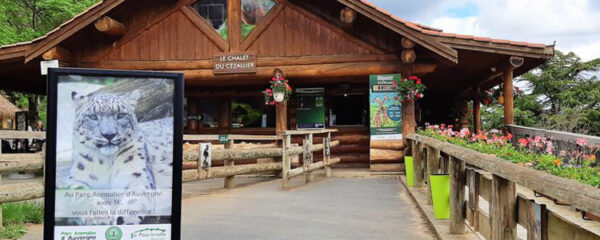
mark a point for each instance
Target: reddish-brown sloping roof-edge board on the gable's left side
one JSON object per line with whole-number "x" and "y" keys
{"x": 64, "y": 31}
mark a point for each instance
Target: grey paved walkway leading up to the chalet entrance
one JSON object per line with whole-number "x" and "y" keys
{"x": 329, "y": 209}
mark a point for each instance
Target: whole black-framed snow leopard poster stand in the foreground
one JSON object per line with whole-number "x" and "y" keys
{"x": 114, "y": 155}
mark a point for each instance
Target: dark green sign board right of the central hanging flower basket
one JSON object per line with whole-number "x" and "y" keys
{"x": 311, "y": 107}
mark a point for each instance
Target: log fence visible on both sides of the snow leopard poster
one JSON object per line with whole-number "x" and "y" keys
{"x": 34, "y": 162}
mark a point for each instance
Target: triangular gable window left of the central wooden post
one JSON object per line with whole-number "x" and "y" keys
{"x": 215, "y": 12}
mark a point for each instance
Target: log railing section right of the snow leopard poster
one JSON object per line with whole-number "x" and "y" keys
{"x": 281, "y": 154}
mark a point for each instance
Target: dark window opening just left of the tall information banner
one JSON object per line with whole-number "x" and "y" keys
{"x": 349, "y": 110}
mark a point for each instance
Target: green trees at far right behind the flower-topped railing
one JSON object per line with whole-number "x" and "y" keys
{"x": 562, "y": 95}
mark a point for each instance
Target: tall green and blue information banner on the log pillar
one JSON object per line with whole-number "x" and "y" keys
{"x": 385, "y": 108}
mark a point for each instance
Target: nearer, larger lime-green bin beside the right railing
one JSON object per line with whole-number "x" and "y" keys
{"x": 440, "y": 193}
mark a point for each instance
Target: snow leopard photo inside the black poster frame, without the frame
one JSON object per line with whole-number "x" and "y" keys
{"x": 114, "y": 150}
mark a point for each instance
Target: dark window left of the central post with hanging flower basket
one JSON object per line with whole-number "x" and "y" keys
{"x": 251, "y": 113}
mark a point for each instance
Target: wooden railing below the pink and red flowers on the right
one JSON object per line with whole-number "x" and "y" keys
{"x": 507, "y": 190}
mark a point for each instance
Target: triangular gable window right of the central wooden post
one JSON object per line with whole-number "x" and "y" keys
{"x": 253, "y": 11}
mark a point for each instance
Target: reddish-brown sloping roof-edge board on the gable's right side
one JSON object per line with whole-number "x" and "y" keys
{"x": 385, "y": 20}
